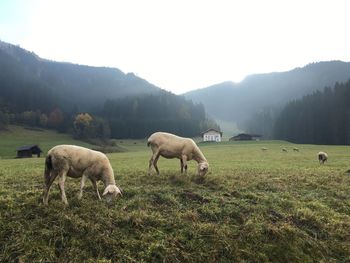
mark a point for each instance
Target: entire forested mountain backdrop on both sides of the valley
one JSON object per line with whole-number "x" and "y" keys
{"x": 95, "y": 102}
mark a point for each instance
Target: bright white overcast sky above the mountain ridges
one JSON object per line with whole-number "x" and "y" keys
{"x": 181, "y": 45}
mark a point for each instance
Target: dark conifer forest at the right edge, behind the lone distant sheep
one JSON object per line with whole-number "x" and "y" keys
{"x": 322, "y": 117}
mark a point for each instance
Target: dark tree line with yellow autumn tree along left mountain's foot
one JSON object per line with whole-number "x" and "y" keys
{"x": 129, "y": 117}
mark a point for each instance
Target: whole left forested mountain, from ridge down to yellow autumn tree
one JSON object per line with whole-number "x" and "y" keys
{"x": 90, "y": 102}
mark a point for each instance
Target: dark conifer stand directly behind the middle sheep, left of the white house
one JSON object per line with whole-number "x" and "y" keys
{"x": 139, "y": 116}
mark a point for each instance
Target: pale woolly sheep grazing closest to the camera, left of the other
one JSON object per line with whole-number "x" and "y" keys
{"x": 75, "y": 161}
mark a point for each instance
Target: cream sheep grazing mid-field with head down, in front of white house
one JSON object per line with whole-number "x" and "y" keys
{"x": 171, "y": 146}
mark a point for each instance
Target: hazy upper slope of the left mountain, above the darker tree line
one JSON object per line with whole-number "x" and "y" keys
{"x": 24, "y": 75}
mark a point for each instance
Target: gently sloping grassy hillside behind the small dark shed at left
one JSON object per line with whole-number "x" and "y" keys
{"x": 16, "y": 136}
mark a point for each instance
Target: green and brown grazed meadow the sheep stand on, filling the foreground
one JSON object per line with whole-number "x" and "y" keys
{"x": 252, "y": 206}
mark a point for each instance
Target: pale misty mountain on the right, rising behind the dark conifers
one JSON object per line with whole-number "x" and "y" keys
{"x": 238, "y": 102}
